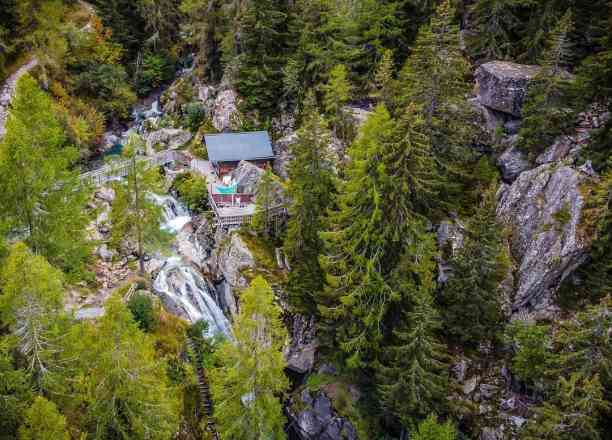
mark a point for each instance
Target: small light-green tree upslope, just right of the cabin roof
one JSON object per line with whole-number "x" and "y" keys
{"x": 337, "y": 94}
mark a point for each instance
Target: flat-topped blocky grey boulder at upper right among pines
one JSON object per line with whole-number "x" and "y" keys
{"x": 502, "y": 85}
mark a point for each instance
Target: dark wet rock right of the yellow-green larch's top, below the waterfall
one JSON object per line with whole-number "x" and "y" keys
{"x": 300, "y": 353}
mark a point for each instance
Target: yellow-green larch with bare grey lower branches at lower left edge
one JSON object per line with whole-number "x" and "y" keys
{"x": 31, "y": 303}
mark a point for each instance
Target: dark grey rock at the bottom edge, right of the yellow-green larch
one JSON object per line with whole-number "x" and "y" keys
{"x": 318, "y": 420}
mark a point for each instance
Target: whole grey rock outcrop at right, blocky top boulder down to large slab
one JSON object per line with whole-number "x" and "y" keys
{"x": 540, "y": 202}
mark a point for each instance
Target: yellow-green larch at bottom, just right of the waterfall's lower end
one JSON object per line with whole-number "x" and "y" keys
{"x": 248, "y": 385}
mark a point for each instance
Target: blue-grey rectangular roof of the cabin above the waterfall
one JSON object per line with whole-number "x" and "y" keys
{"x": 231, "y": 147}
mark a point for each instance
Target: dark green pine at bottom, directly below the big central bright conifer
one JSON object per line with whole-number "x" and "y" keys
{"x": 413, "y": 374}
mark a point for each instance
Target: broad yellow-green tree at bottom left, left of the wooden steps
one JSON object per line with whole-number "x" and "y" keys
{"x": 117, "y": 383}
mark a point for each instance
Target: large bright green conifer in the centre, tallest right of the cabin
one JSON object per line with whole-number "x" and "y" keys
{"x": 368, "y": 233}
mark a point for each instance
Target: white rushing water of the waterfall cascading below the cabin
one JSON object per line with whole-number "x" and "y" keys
{"x": 180, "y": 283}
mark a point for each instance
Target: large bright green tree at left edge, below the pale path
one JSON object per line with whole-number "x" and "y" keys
{"x": 40, "y": 197}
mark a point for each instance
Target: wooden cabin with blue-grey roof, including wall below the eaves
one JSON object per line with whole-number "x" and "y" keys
{"x": 226, "y": 150}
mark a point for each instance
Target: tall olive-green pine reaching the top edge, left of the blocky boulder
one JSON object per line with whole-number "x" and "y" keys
{"x": 434, "y": 80}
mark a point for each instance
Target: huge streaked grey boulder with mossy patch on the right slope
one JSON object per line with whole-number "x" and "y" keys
{"x": 543, "y": 209}
